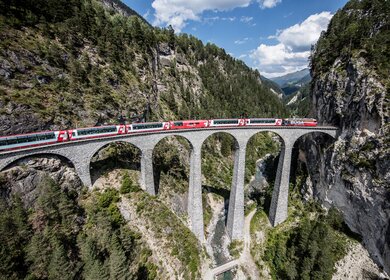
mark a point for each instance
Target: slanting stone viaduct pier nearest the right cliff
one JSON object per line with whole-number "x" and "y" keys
{"x": 279, "y": 201}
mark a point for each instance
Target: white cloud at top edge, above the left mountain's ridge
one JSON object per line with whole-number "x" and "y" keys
{"x": 178, "y": 12}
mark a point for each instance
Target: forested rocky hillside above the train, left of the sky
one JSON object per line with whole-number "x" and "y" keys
{"x": 93, "y": 65}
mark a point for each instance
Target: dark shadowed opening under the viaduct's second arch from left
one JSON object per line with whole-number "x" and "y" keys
{"x": 123, "y": 154}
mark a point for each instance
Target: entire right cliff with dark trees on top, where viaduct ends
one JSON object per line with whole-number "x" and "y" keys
{"x": 350, "y": 89}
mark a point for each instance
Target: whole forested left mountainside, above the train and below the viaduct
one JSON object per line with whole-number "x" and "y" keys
{"x": 75, "y": 63}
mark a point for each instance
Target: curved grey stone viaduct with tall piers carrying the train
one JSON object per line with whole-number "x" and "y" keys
{"x": 80, "y": 154}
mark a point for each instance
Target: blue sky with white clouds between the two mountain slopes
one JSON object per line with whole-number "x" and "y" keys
{"x": 273, "y": 36}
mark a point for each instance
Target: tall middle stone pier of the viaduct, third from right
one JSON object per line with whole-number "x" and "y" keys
{"x": 195, "y": 207}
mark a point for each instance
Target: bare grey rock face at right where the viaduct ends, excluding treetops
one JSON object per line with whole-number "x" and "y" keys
{"x": 354, "y": 175}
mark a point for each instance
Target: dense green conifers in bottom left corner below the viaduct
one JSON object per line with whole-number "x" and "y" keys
{"x": 84, "y": 237}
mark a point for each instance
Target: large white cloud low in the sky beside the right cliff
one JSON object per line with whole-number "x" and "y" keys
{"x": 293, "y": 50}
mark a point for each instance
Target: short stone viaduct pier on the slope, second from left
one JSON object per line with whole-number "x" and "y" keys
{"x": 147, "y": 175}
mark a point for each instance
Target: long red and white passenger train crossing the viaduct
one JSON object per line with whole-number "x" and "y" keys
{"x": 14, "y": 142}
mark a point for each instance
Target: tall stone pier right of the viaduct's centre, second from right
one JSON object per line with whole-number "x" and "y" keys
{"x": 235, "y": 221}
